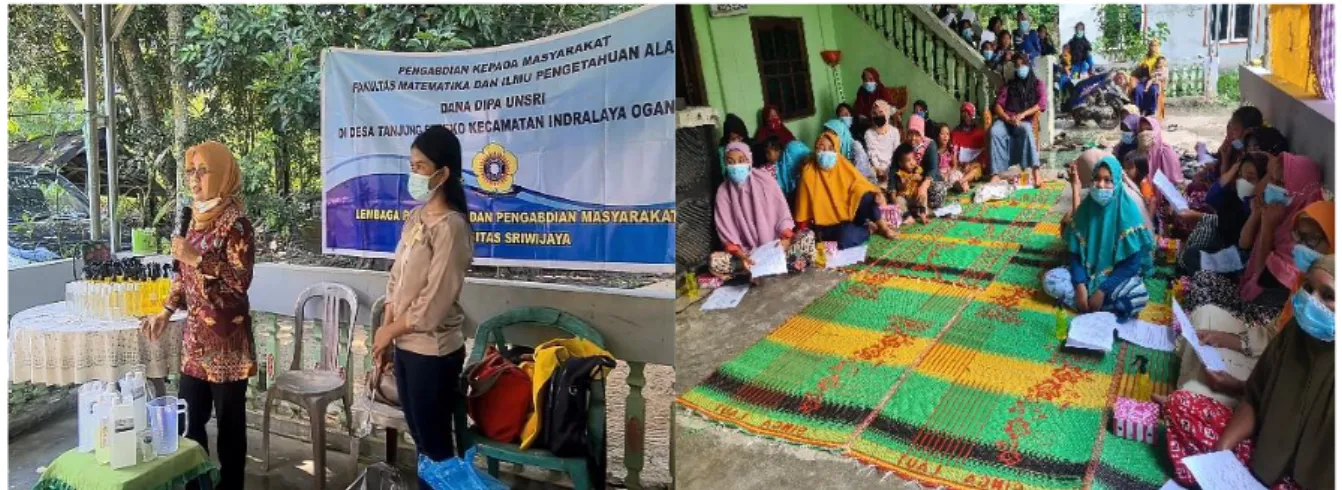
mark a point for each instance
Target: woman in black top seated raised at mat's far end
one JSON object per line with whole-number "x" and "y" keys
{"x": 1013, "y": 135}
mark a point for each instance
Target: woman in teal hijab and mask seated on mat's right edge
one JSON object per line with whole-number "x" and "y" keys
{"x": 1111, "y": 252}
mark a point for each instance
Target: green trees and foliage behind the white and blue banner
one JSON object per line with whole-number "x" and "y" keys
{"x": 253, "y": 77}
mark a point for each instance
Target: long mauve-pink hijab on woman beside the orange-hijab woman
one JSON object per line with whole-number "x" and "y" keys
{"x": 754, "y": 213}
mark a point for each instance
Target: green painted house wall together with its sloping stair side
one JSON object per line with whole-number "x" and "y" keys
{"x": 727, "y": 52}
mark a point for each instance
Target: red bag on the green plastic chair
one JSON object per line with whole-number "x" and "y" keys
{"x": 499, "y": 397}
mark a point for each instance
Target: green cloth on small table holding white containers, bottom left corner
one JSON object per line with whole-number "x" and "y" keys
{"x": 77, "y": 471}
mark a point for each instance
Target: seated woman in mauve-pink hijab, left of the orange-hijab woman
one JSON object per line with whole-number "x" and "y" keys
{"x": 752, "y": 211}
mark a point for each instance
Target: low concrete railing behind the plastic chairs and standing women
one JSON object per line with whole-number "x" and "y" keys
{"x": 638, "y": 326}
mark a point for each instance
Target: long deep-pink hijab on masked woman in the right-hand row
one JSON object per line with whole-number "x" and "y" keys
{"x": 1301, "y": 178}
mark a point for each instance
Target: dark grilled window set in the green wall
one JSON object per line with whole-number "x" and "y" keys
{"x": 783, "y": 64}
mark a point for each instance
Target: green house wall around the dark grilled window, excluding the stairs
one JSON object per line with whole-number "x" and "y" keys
{"x": 728, "y": 54}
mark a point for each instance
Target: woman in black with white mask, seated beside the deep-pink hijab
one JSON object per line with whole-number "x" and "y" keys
{"x": 1233, "y": 205}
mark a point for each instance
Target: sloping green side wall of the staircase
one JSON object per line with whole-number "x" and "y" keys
{"x": 864, "y": 46}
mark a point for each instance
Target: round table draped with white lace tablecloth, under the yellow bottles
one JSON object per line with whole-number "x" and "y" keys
{"x": 50, "y": 344}
